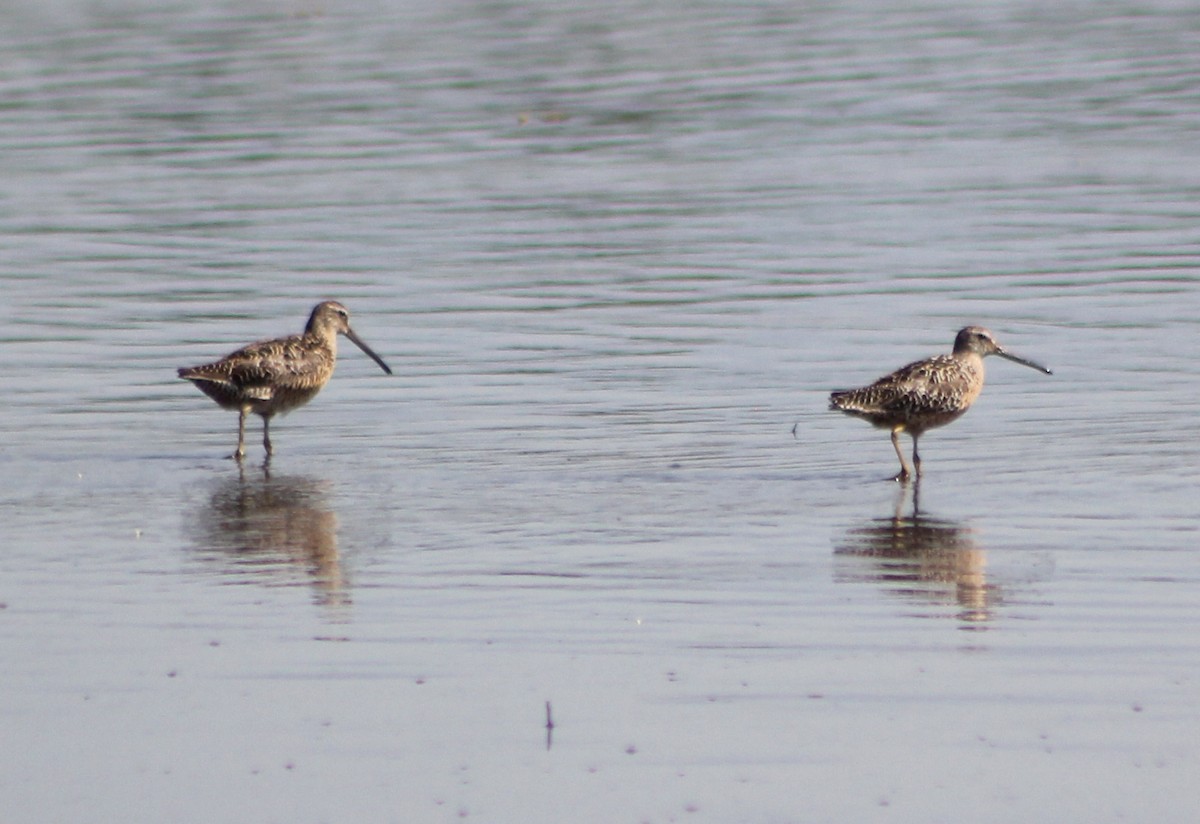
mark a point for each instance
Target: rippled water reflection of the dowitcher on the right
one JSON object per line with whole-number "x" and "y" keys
{"x": 926, "y": 560}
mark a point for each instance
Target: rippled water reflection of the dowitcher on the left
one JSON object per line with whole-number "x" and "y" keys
{"x": 275, "y": 531}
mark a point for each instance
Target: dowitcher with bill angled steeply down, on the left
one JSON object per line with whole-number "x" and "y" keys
{"x": 274, "y": 377}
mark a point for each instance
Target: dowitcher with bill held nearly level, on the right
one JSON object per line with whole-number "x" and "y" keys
{"x": 927, "y": 394}
